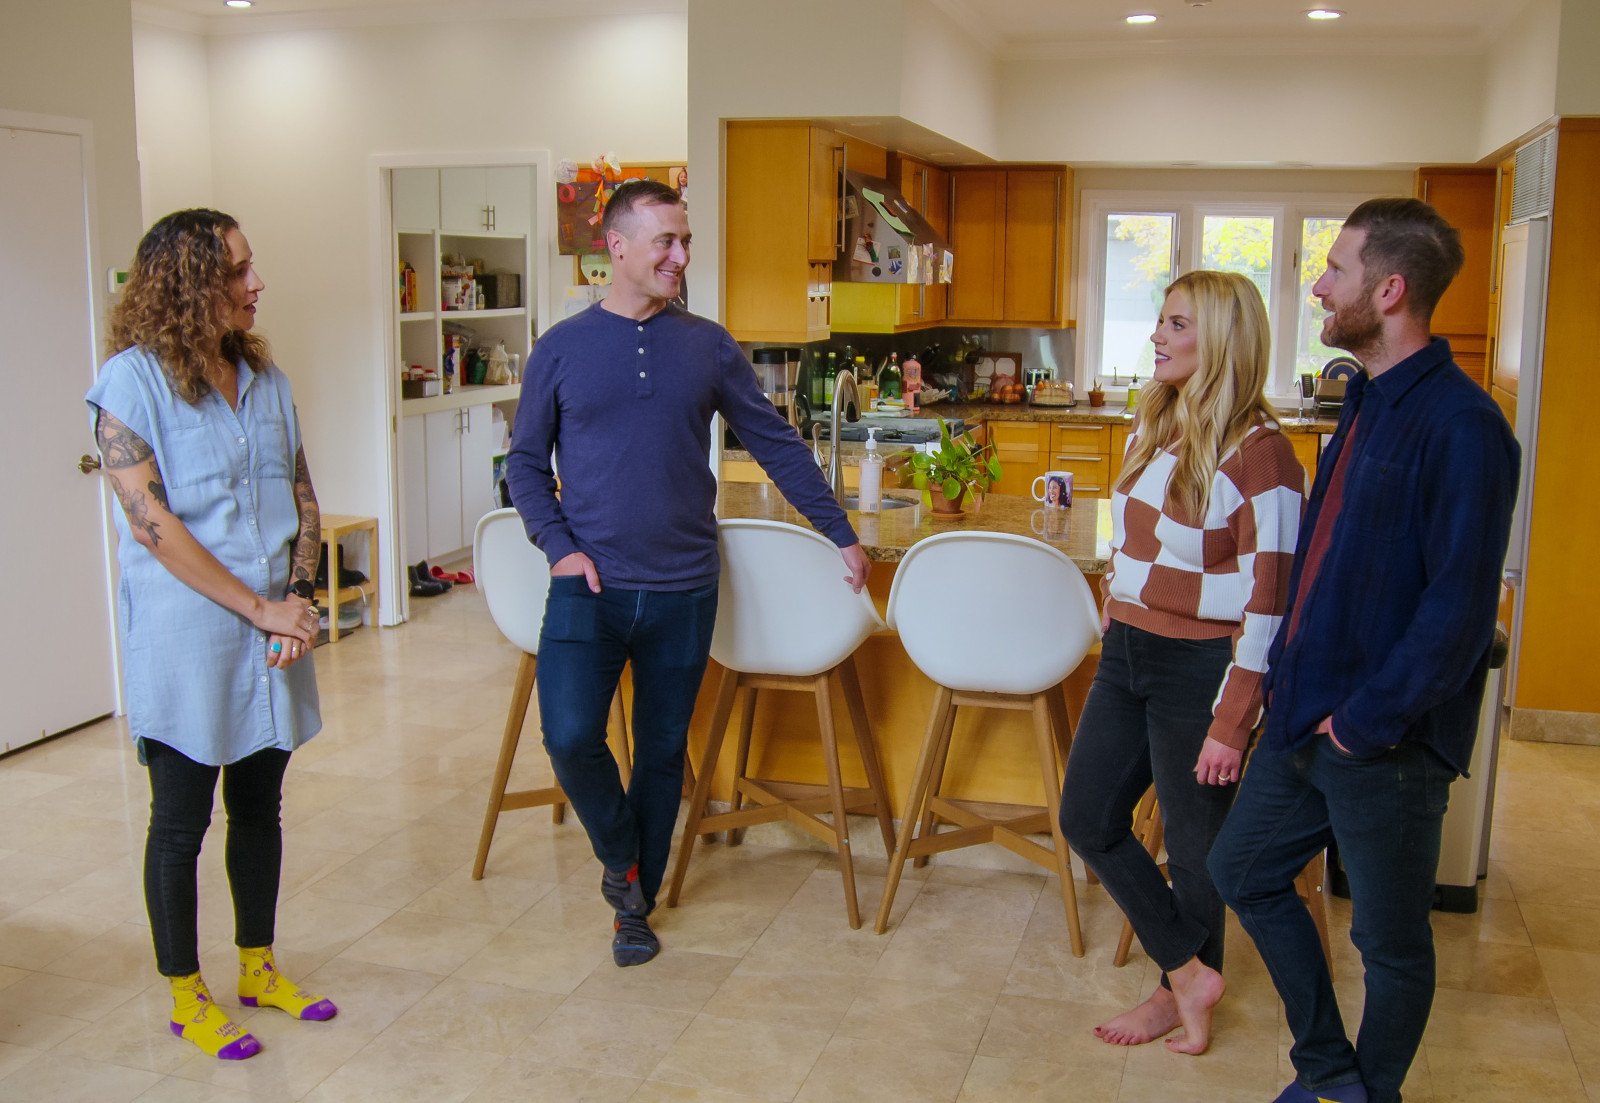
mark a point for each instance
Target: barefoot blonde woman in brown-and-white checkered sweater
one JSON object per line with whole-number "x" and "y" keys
{"x": 1206, "y": 518}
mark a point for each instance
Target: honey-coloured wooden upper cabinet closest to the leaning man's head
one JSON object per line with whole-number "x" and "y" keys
{"x": 780, "y": 230}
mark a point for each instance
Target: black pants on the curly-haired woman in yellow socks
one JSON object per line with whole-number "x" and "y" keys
{"x": 180, "y": 814}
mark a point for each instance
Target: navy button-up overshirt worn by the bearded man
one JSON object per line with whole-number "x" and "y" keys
{"x": 1394, "y": 636}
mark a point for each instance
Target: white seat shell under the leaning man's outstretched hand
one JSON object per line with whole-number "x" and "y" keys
{"x": 783, "y": 606}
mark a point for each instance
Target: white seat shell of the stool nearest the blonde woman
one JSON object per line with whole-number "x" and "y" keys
{"x": 993, "y": 614}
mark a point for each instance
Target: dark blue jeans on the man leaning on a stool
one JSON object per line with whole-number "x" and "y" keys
{"x": 585, "y": 644}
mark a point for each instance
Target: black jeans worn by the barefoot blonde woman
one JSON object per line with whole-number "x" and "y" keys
{"x": 1145, "y": 721}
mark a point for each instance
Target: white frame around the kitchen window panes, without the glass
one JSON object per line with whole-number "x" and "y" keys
{"x": 1289, "y": 214}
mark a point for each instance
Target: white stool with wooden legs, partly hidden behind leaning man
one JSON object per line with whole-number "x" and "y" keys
{"x": 514, "y": 579}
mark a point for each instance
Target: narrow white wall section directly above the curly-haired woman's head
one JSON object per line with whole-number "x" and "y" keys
{"x": 170, "y": 89}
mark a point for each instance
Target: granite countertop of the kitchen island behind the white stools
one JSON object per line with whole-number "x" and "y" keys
{"x": 1082, "y": 532}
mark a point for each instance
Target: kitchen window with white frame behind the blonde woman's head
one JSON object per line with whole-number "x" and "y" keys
{"x": 1140, "y": 243}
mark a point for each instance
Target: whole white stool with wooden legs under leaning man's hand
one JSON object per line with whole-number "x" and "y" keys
{"x": 786, "y": 622}
